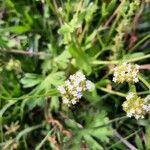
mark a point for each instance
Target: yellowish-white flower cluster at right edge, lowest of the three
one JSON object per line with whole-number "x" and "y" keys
{"x": 136, "y": 106}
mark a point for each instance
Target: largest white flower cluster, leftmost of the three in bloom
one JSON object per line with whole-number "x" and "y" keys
{"x": 72, "y": 91}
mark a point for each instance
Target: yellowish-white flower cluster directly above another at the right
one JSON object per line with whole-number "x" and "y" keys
{"x": 126, "y": 73}
